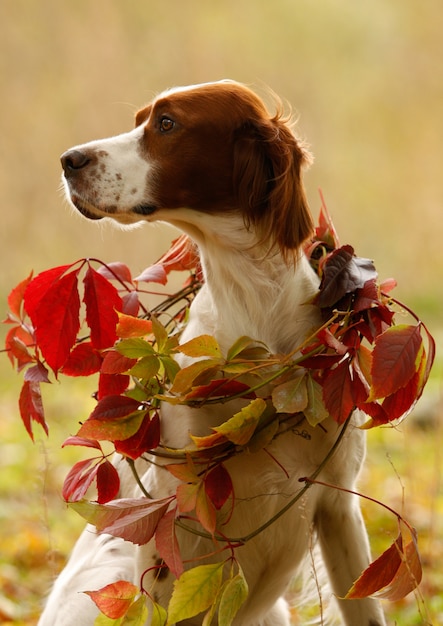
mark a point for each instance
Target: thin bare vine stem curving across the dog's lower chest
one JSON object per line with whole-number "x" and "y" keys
{"x": 309, "y": 481}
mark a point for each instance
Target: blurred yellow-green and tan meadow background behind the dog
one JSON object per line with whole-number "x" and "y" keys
{"x": 366, "y": 80}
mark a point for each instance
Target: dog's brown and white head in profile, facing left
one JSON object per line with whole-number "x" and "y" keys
{"x": 208, "y": 149}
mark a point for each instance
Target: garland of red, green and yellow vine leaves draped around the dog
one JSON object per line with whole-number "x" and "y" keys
{"x": 360, "y": 358}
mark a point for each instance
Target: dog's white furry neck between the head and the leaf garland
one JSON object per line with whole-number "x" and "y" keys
{"x": 250, "y": 290}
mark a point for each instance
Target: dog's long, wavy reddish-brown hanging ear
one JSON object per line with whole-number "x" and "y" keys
{"x": 267, "y": 176}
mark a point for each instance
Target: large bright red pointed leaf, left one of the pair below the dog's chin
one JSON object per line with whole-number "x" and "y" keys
{"x": 55, "y": 315}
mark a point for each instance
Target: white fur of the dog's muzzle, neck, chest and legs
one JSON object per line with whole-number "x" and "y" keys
{"x": 248, "y": 290}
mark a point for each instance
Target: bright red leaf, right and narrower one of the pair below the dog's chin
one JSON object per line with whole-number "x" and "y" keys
{"x": 102, "y": 303}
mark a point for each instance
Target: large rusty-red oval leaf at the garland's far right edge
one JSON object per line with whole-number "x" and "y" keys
{"x": 394, "y": 359}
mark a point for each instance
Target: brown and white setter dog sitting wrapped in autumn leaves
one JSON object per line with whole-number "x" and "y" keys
{"x": 211, "y": 160}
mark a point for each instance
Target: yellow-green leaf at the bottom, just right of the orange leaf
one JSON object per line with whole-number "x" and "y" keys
{"x": 194, "y": 592}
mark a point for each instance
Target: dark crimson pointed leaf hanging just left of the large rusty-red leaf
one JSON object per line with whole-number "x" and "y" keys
{"x": 338, "y": 392}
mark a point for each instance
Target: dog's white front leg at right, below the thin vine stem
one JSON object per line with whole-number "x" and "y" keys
{"x": 345, "y": 549}
